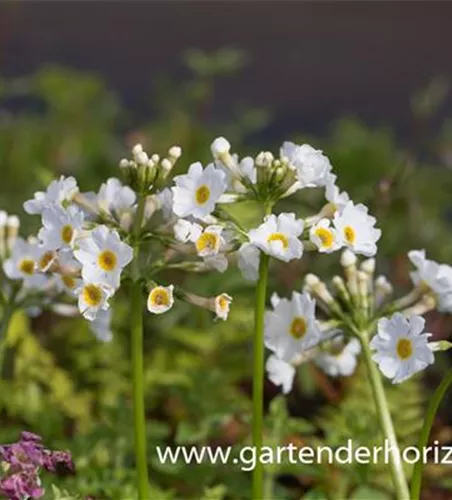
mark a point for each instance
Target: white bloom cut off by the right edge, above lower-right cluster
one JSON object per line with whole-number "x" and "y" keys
{"x": 437, "y": 277}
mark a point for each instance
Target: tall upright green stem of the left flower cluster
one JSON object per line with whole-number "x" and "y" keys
{"x": 137, "y": 360}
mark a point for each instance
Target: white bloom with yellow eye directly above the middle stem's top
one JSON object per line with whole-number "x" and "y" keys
{"x": 278, "y": 236}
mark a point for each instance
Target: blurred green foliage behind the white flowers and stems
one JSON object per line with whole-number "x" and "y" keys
{"x": 75, "y": 391}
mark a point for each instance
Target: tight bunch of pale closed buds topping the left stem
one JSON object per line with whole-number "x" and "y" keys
{"x": 144, "y": 172}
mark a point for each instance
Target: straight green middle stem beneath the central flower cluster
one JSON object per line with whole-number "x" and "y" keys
{"x": 258, "y": 375}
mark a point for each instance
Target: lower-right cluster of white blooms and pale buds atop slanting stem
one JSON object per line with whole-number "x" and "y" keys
{"x": 358, "y": 309}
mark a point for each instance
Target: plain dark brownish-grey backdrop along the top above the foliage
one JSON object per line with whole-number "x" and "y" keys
{"x": 310, "y": 61}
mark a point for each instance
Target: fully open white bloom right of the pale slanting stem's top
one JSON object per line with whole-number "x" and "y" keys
{"x": 401, "y": 348}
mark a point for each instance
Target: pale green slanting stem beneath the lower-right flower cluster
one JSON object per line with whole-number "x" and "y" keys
{"x": 386, "y": 425}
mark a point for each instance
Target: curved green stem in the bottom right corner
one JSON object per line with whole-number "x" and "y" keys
{"x": 416, "y": 480}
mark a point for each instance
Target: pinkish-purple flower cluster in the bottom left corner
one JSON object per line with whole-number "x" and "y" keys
{"x": 22, "y": 463}
